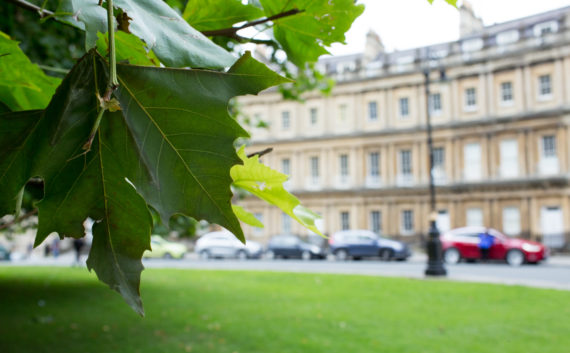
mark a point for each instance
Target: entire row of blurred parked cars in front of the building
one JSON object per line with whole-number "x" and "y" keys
{"x": 458, "y": 244}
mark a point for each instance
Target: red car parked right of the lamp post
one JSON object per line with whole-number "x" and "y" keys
{"x": 463, "y": 243}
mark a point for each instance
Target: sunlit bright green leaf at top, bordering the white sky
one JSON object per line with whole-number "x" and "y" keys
{"x": 305, "y": 35}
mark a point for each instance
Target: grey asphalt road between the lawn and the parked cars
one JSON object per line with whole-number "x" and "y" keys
{"x": 555, "y": 273}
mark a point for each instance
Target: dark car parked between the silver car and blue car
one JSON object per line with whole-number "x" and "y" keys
{"x": 291, "y": 246}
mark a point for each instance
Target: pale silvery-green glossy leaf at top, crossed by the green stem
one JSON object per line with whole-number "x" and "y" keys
{"x": 171, "y": 38}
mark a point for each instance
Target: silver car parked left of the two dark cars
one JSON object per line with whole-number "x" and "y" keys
{"x": 223, "y": 244}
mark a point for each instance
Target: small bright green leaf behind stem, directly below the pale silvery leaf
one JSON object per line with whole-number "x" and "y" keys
{"x": 129, "y": 48}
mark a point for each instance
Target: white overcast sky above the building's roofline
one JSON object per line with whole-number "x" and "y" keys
{"x": 404, "y": 24}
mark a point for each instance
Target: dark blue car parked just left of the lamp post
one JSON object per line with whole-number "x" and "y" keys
{"x": 365, "y": 243}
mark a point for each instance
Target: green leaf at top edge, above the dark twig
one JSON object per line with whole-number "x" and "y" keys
{"x": 210, "y": 15}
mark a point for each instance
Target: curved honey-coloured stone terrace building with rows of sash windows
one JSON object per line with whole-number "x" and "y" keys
{"x": 500, "y": 110}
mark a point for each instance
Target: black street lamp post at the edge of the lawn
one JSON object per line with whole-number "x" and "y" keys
{"x": 435, "y": 254}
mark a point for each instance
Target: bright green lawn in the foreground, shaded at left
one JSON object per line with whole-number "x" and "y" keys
{"x": 68, "y": 310}
